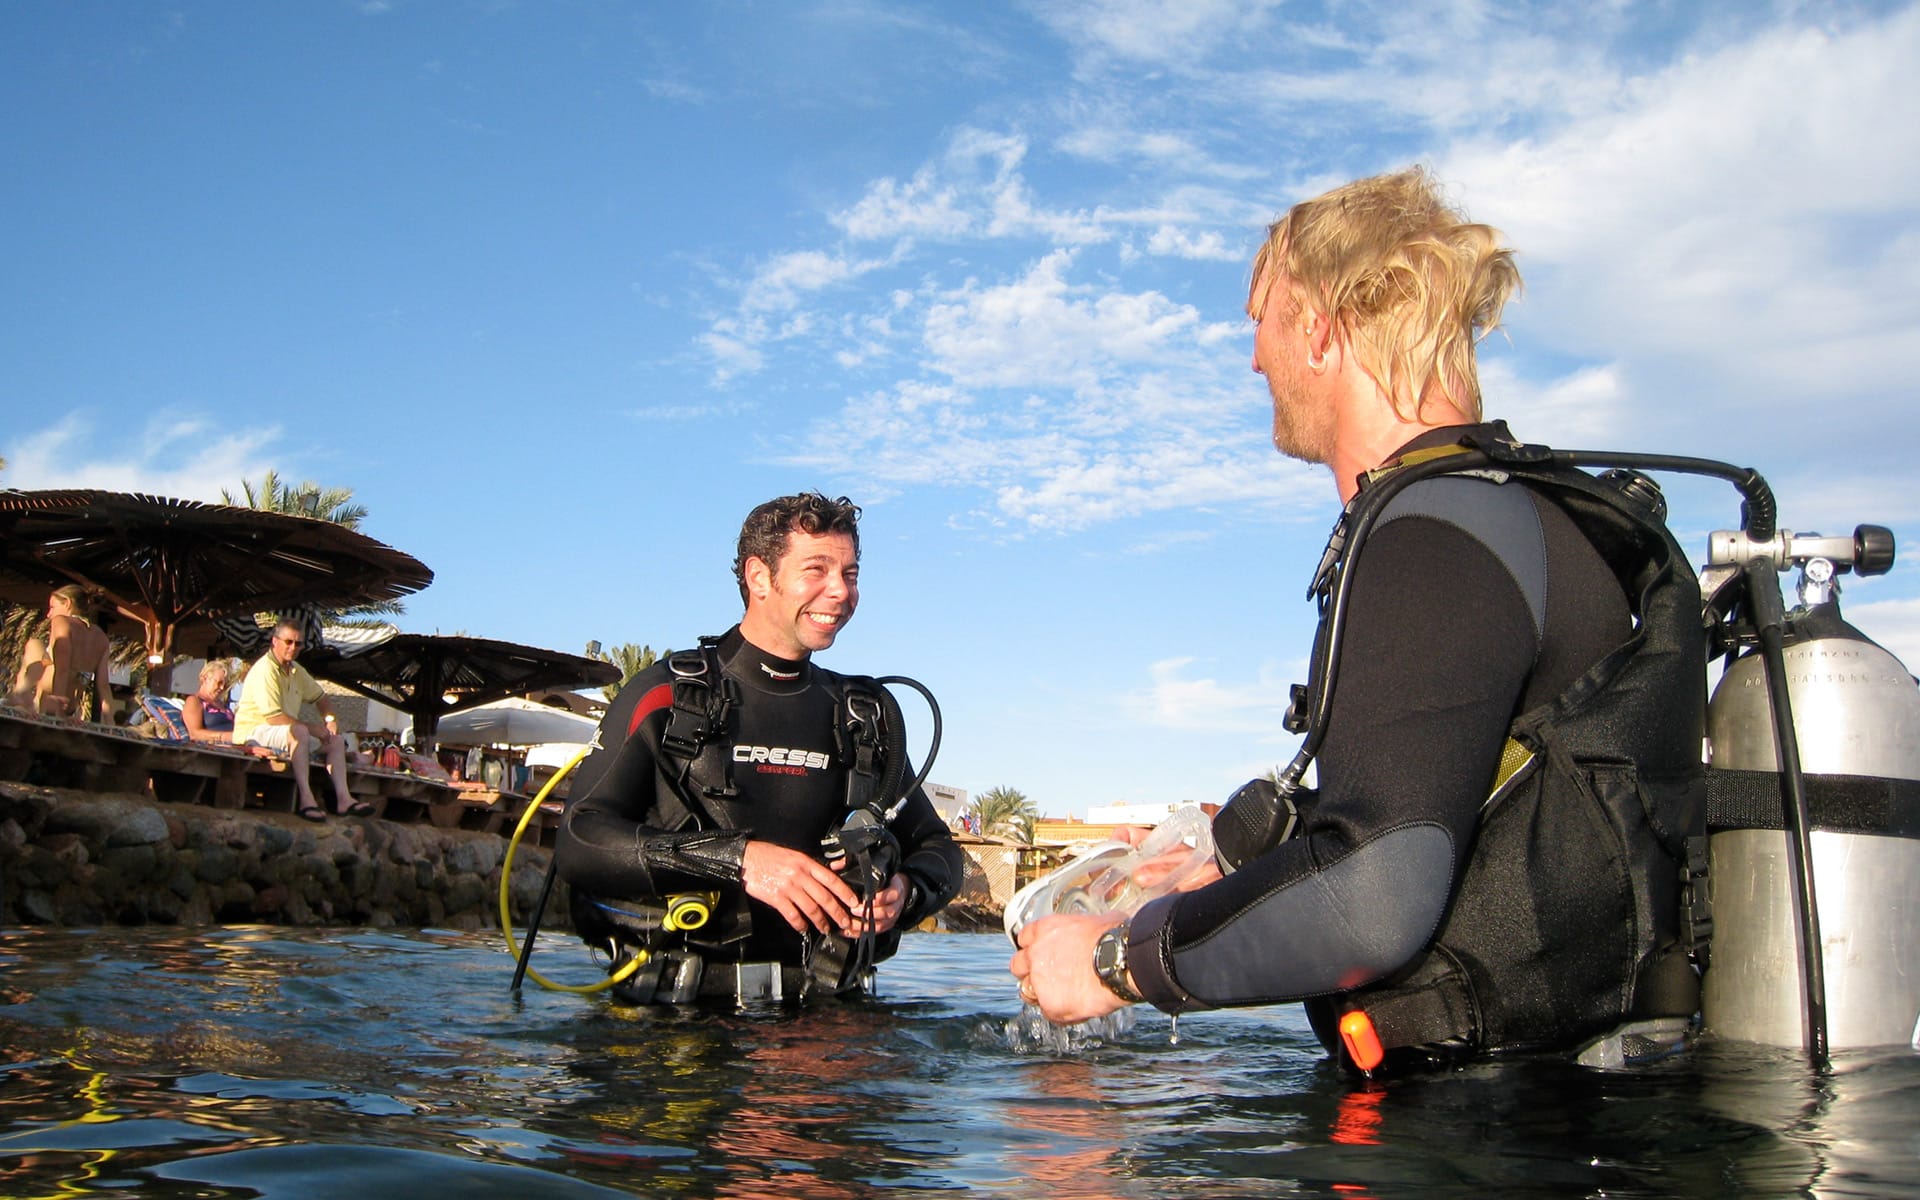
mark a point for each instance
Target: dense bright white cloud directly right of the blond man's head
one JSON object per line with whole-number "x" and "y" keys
{"x": 1752, "y": 210}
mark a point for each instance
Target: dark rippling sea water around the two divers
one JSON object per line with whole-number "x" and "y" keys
{"x": 312, "y": 1065}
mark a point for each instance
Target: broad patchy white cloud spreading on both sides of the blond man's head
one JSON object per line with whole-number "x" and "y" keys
{"x": 1691, "y": 229}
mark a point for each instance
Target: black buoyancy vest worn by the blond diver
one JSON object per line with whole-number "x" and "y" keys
{"x": 1583, "y": 900}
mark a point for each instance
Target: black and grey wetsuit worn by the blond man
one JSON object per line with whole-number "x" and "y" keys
{"x": 1472, "y": 604}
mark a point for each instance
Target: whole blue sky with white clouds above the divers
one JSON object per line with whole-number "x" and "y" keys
{"x": 562, "y": 291}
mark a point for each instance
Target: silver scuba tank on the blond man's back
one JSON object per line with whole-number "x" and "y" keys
{"x": 1856, "y": 713}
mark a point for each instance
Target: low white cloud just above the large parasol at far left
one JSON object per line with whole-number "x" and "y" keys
{"x": 174, "y": 454}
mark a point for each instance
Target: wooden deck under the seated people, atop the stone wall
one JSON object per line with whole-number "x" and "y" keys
{"x": 91, "y": 757}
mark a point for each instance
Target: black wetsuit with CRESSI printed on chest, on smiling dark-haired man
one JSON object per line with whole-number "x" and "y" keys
{"x": 792, "y": 790}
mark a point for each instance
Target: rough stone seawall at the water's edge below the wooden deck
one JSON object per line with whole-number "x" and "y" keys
{"x": 91, "y": 859}
